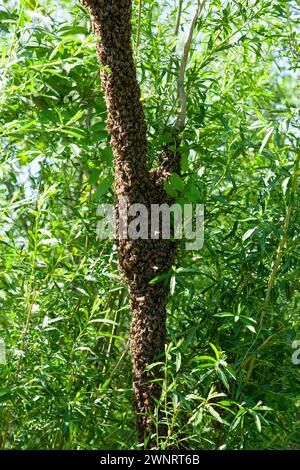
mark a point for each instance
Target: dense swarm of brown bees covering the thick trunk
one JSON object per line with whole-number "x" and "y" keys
{"x": 139, "y": 260}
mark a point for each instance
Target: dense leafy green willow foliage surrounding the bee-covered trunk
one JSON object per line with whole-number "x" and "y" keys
{"x": 229, "y": 379}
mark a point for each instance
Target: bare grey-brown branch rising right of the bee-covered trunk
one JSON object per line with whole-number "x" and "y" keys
{"x": 180, "y": 122}
